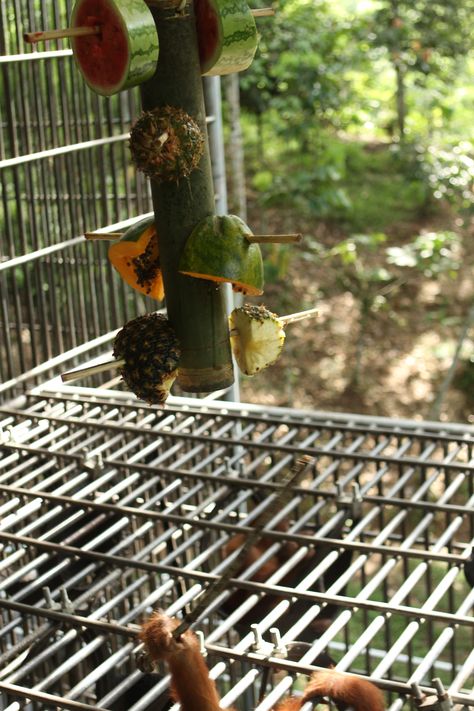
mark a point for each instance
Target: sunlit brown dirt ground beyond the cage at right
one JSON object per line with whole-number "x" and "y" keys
{"x": 407, "y": 347}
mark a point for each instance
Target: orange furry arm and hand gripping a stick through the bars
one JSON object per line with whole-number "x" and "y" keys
{"x": 190, "y": 682}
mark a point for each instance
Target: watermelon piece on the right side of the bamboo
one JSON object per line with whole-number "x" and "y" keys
{"x": 227, "y": 36}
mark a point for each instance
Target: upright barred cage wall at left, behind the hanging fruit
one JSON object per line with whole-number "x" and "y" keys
{"x": 64, "y": 169}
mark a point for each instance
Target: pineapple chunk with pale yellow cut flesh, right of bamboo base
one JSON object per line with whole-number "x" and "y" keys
{"x": 256, "y": 336}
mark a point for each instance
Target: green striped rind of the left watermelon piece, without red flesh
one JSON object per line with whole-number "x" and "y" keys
{"x": 139, "y": 28}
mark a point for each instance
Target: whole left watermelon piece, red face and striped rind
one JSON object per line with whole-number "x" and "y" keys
{"x": 125, "y": 52}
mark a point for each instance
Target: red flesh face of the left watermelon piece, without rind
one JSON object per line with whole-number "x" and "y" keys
{"x": 103, "y": 58}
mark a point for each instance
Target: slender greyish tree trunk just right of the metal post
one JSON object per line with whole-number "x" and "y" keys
{"x": 236, "y": 147}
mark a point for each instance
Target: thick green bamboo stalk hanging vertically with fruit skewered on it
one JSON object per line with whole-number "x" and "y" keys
{"x": 196, "y": 308}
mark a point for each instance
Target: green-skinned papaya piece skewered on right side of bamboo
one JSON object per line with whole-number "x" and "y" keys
{"x": 218, "y": 250}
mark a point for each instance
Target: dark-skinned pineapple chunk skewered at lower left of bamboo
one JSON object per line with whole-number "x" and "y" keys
{"x": 151, "y": 352}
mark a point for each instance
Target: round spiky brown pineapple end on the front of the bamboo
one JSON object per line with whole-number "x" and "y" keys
{"x": 166, "y": 144}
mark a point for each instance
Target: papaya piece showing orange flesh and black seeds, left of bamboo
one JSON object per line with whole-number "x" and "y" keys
{"x": 136, "y": 257}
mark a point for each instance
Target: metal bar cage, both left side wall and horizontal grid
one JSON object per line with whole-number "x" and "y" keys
{"x": 110, "y": 508}
